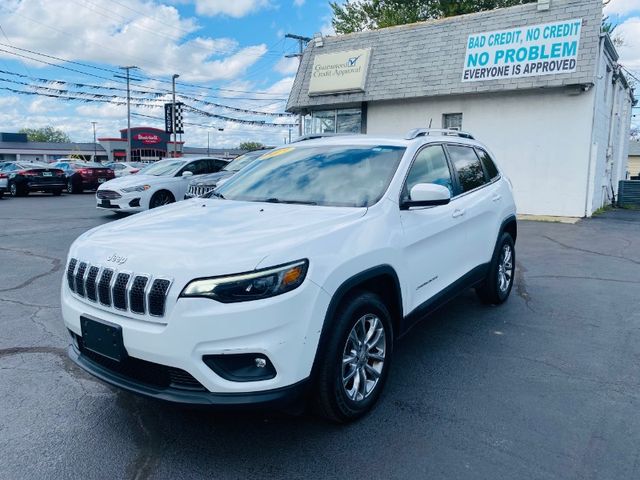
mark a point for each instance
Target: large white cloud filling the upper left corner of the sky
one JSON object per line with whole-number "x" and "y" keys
{"x": 115, "y": 34}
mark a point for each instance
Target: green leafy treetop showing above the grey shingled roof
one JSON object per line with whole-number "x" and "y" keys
{"x": 359, "y": 15}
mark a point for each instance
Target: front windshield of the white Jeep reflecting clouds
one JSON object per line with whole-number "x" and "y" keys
{"x": 344, "y": 175}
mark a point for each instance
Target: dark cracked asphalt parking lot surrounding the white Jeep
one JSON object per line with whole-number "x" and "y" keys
{"x": 543, "y": 387}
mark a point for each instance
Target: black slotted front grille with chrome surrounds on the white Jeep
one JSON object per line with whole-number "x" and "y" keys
{"x": 124, "y": 291}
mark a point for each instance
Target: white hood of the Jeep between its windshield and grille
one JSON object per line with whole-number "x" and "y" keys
{"x": 208, "y": 237}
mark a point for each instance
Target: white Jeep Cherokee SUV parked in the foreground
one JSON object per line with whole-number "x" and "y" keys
{"x": 297, "y": 277}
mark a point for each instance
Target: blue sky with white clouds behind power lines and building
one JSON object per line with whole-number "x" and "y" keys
{"x": 227, "y": 52}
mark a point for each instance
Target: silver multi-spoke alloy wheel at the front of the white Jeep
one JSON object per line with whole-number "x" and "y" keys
{"x": 363, "y": 357}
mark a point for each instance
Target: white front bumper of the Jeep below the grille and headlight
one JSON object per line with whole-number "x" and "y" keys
{"x": 285, "y": 329}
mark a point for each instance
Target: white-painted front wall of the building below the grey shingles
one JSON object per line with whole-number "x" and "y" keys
{"x": 541, "y": 139}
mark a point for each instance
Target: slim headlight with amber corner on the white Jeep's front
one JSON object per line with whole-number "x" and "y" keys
{"x": 243, "y": 287}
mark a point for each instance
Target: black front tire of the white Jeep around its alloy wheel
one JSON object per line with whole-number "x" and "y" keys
{"x": 332, "y": 401}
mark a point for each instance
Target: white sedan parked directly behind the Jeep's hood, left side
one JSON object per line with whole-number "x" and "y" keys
{"x": 158, "y": 184}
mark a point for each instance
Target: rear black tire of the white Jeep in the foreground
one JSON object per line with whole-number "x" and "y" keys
{"x": 494, "y": 291}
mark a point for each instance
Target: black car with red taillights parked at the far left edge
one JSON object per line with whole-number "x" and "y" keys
{"x": 25, "y": 177}
